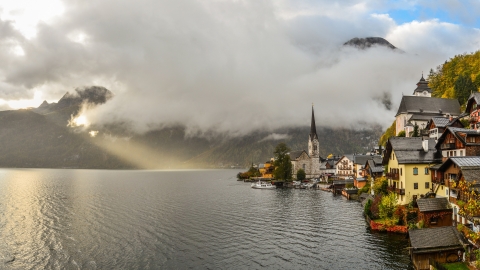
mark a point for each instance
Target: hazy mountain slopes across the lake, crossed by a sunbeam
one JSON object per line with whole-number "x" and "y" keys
{"x": 40, "y": 138}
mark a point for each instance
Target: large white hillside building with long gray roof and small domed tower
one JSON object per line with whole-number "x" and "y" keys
{"x": 421, "y": 107}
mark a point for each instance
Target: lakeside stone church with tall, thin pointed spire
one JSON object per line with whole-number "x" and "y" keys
{"x": 308, "y": 161}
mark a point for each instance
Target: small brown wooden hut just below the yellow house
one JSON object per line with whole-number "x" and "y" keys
{"x": 434, "y": 212}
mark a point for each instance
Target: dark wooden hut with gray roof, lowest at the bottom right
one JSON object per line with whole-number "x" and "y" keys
{"x": 441, "y": 244}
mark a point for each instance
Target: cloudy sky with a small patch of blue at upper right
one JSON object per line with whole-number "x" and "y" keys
{"x": 229, "y": 66}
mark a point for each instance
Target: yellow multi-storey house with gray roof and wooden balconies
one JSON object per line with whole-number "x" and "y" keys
{"x": 408, "y": 160}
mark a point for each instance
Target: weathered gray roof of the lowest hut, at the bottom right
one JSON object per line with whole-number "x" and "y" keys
{"x": 447, "y": 237}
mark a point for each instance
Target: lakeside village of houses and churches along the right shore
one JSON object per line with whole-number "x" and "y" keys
{"x": 424, "y": 182}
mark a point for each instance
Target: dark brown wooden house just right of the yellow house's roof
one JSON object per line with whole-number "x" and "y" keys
{"x": 459, "y": 142}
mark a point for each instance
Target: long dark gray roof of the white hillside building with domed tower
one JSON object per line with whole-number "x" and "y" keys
{"x": 424, "y": 105}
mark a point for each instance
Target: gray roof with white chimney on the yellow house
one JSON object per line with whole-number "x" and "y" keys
{"x": 409, "y": 150}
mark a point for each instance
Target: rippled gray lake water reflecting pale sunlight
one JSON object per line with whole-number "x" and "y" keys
{"x": 96, "y": 219}
